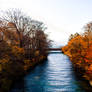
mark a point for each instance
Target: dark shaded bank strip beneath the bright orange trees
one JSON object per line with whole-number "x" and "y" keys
{"x": 79, "y": 73}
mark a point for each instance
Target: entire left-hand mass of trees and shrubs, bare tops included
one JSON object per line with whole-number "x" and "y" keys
{"x": 23, "y": 44}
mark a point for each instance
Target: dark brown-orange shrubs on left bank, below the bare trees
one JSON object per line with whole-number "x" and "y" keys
{"x": 14, "y": 70}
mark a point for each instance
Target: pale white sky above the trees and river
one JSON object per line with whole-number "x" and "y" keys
{"x": 62, "y": 17}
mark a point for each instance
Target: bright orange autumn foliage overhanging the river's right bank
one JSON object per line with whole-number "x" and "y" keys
{"x": 80, "y": 53}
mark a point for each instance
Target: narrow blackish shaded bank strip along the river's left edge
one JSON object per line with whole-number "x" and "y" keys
{"x": 26, "y": 72}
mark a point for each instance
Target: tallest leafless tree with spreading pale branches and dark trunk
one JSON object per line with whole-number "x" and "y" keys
{"x": 20, "y": 21}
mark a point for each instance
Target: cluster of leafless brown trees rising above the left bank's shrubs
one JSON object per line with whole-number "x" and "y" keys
{"x": 29, "y": 33}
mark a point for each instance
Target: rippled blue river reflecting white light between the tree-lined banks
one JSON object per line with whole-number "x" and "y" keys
{"x": 54, "y": 75}
